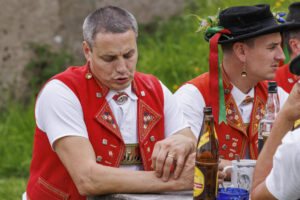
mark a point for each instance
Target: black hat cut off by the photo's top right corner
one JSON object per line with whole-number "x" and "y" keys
{"x": 293, "y": 18}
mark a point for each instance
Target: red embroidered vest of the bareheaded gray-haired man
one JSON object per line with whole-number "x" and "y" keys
{"x": 49, "y": 178}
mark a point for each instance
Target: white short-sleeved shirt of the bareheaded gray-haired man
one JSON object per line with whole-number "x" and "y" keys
{"x": 58, "y": 113}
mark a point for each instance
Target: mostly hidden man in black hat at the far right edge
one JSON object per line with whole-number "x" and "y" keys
{"x": 291, "y": 38}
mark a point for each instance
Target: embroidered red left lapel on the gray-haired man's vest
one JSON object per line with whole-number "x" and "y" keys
{"x": 107, "y": 119}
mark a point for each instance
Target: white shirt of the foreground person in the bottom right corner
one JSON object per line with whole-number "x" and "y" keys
{"x": 283, "y": 182}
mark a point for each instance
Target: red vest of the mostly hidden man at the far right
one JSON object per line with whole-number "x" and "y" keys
{"x": 285, "y": 79}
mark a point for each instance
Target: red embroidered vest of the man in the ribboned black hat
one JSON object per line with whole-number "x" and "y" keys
{"x": 235, "y": 135}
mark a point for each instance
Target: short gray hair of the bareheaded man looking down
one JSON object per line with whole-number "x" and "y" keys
{"x": 109, "y": 19}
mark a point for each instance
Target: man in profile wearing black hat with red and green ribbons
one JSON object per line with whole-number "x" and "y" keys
{"x": 250, "y": 39}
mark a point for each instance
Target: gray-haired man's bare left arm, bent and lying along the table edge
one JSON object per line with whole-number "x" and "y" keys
{"x": 92, "y": 178}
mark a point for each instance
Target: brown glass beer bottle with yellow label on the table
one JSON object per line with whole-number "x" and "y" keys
{"x": 207, "y": 159}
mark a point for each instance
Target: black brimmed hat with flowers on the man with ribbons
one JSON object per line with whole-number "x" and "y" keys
{"x": 246, "y": 22}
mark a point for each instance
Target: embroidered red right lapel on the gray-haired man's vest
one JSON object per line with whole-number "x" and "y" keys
{"x": 147, "y": 118}
